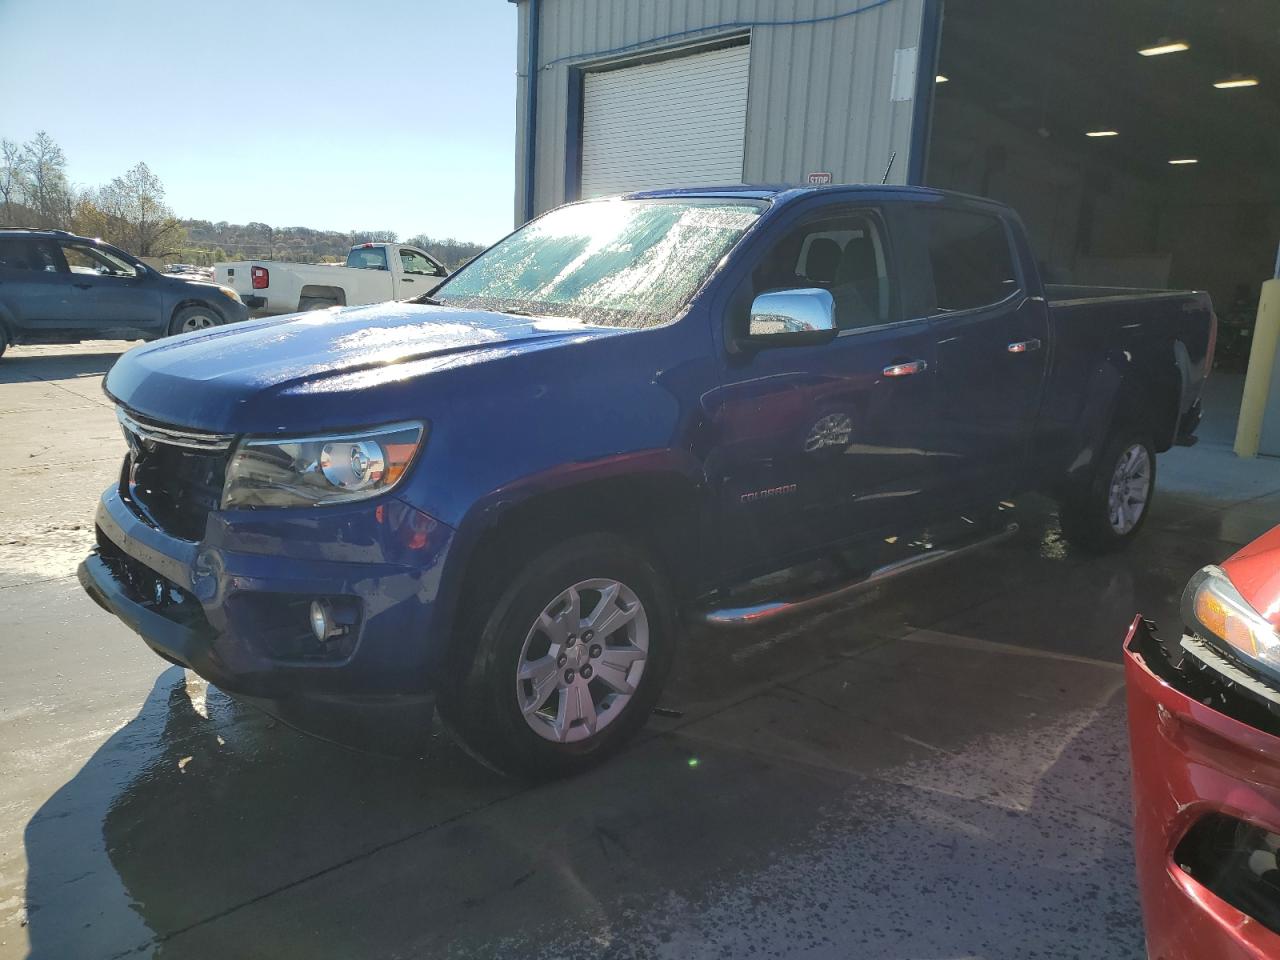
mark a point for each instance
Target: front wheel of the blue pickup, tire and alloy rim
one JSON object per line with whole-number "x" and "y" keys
{"x": 527, "y": 728}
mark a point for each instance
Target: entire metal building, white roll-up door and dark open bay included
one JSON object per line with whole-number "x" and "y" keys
{"x": 1139, "y": 141}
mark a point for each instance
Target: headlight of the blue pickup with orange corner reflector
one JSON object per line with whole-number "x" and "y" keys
{"x": 319, "y": 470}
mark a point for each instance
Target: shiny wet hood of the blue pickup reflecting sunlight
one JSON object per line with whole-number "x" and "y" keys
{"x": 287, "y": 374}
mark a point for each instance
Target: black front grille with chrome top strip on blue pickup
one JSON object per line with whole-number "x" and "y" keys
{"x": 173, "y": 478}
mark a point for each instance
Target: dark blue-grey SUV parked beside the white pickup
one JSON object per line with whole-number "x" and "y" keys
{"x": 61, "y": 289}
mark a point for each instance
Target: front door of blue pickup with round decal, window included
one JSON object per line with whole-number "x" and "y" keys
{"x": 829, "y": 444}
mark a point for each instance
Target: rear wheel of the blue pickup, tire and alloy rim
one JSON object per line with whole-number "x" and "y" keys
{"x": 1090, "y": 518}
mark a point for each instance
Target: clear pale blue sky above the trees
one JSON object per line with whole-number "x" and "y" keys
{"x": 324, "y": 115}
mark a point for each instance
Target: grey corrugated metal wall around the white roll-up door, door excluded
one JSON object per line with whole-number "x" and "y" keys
{"x": 820, "y": 94}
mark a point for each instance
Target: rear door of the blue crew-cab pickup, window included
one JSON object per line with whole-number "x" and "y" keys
{"x": 991, "y": 341}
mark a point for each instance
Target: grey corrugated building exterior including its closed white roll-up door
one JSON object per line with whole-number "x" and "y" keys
{"x": 634, "y": 94}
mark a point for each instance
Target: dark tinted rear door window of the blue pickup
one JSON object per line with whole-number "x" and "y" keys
{"x": 971, "y": 259}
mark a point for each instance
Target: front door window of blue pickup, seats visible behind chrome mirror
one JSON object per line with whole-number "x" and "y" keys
{"x": 847, "y": 255}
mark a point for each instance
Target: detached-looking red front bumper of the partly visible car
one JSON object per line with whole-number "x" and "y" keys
{"x": 1206, "y": 789}
